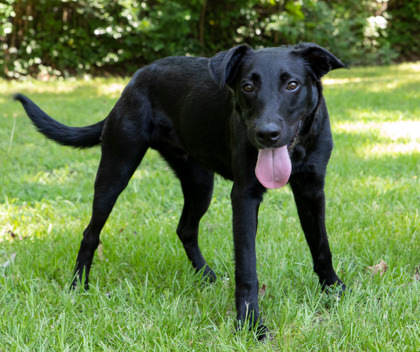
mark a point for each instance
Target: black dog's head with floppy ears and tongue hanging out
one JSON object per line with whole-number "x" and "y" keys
{"x": 274, "y": 90}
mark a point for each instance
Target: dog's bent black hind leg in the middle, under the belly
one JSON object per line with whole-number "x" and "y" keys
{"x": 197, "y": 187}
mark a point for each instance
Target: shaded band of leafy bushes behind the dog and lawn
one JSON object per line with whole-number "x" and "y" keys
{"x": 64, "y": 37}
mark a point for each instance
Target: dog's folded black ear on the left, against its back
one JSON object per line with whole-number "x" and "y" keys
{"x": 224, "y": 66}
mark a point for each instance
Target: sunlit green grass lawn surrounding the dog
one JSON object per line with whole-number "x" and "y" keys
{"x": 144, "y": 294}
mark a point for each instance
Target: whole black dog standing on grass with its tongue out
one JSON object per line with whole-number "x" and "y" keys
{"x": 255, "y": 117}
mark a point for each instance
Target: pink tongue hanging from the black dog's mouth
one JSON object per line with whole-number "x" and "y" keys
{"x": 273, "y": 167}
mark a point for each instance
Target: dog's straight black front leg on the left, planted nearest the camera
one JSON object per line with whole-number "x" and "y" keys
{"x": 245, "y": 204}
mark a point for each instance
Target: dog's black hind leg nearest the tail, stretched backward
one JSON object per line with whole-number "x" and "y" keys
{"x": 122, "y": 152}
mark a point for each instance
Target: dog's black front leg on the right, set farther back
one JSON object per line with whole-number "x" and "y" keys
{"x": 308, "y": 191}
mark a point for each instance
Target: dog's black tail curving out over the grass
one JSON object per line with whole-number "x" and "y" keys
{"x": 78, "y": 137}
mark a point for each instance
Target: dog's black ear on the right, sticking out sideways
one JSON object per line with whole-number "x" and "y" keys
{"x": 319, "y": 59}
